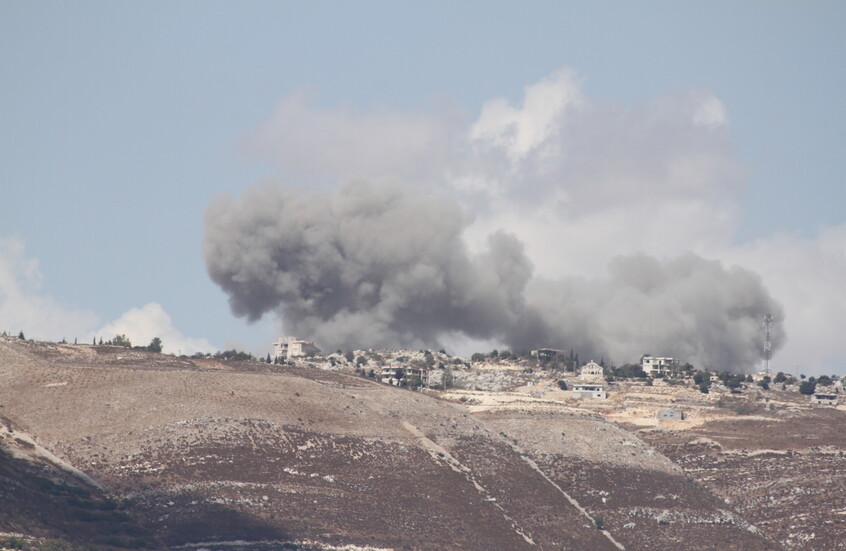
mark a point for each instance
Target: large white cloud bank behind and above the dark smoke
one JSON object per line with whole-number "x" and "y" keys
{"x": 580, "y": 182}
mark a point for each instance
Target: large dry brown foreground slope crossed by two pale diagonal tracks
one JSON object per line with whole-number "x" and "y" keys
{"x": 207, "y": 451}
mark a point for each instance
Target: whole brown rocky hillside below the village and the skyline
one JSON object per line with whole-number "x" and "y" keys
{"x": 187, "y": 453}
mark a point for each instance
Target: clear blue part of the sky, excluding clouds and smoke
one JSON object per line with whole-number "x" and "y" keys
{"x": 121, "y": 121}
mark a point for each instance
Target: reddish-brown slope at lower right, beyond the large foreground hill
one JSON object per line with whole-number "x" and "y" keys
{"x": 786, "y": 473}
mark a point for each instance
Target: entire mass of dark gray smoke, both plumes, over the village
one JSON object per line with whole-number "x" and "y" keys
{"x": 385, "y": 266}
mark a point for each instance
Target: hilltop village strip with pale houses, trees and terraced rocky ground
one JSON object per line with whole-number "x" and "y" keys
{"x": 656, "y": 391}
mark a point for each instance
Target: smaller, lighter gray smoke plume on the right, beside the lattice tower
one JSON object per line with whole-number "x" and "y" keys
{"x": 687, "y": 307}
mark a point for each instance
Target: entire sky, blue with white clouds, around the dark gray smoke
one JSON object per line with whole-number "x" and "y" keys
{"x": 716, "y": 127}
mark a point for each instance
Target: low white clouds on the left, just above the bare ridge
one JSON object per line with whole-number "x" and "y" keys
{"x": 24, "y": 307}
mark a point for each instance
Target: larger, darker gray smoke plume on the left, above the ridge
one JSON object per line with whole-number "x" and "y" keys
{"x": 372, "y": 266}
